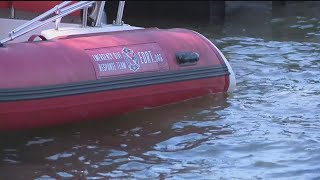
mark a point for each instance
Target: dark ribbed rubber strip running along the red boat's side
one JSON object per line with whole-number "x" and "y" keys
{"x": 107, "y": 84}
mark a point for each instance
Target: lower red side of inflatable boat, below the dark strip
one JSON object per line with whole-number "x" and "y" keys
{"x": 68, "y": 109}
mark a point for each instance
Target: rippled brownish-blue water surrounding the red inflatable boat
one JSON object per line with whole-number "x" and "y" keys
{"x": 269, "y": 128}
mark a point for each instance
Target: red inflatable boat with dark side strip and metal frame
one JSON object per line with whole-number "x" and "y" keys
{"x": 92, "y": 72}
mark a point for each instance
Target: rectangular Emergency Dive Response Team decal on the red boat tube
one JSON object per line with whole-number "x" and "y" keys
{"x": 128, "y": 59}
